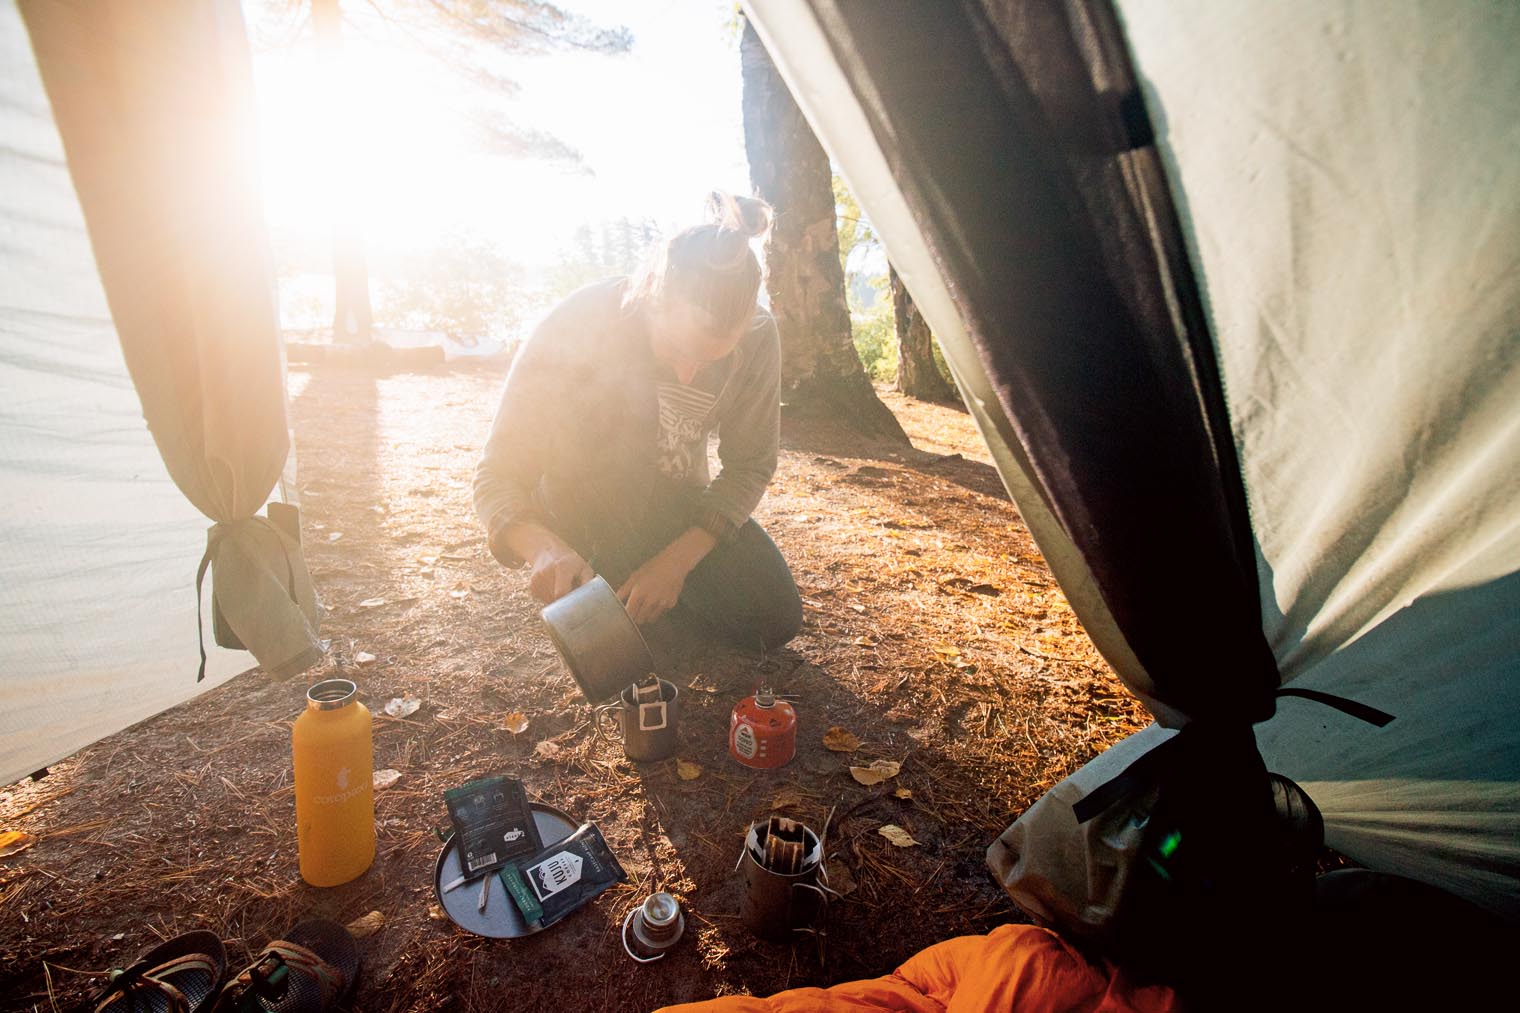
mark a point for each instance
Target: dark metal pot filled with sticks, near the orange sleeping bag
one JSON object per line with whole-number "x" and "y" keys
{"x": 782, "y": 892}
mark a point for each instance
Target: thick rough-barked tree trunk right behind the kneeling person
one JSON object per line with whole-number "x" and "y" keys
{"x": 820, "y": 367}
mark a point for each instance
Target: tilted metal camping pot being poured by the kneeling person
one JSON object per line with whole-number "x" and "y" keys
{"x": 598, "y": 640}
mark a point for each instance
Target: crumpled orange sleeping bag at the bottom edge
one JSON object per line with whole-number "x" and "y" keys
{"x": 1015, "y": 968}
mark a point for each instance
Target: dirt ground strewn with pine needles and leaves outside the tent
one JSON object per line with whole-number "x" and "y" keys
{"x": 934, "y": 634}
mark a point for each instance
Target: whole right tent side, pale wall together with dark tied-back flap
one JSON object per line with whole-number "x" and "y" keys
{"x": 1344, "y": 195}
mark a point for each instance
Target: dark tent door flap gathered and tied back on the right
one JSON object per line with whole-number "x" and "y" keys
{"x": 1113, "y": 404}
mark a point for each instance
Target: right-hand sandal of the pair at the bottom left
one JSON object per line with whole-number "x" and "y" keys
{"x": 312, "y": 970}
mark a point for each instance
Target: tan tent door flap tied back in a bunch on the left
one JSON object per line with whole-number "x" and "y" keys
{"x": 154, "y": 106}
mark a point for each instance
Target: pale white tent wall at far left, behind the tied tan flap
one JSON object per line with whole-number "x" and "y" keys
{"x": 98, "y": 547}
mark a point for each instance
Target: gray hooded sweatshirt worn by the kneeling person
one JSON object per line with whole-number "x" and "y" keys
{"x": 591, "y": 416}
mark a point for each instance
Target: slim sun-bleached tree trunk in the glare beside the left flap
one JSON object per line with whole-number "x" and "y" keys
{"x": 352, "y": 317}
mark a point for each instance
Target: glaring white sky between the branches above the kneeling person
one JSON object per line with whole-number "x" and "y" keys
{"x": 659, "y": 129}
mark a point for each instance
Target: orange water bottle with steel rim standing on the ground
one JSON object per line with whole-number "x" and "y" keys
{"x": 335, "y": 804}
